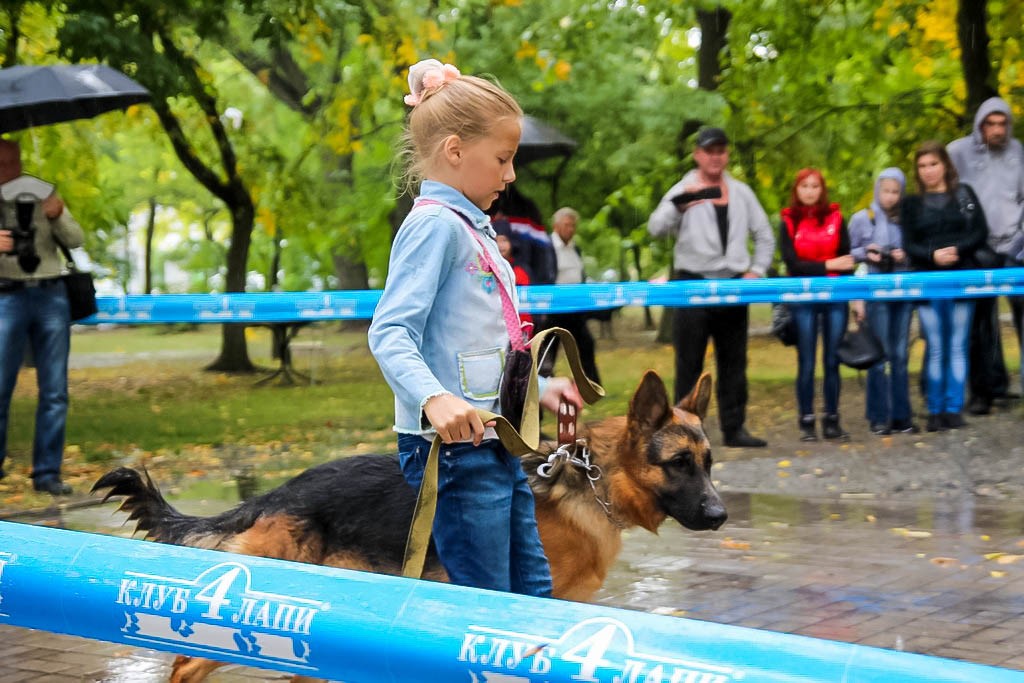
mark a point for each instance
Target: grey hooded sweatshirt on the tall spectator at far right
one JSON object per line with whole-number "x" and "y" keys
{"x": 997, "y": 177}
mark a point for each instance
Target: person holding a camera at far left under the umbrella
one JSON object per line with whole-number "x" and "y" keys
{"x": 34, "y": 311}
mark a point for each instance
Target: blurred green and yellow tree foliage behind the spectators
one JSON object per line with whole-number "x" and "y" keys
{"x": 269, "y": 160}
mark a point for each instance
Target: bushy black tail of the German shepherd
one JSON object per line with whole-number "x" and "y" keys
{"x": 146, "y": 505}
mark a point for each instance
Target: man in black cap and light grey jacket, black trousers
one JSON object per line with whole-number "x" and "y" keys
{"x": 712, "y": 216}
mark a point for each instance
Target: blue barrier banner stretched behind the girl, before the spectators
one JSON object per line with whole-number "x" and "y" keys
{"x": 312, "y": 307}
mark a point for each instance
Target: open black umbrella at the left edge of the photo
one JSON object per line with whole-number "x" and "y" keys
{"x": 40, "y": 96}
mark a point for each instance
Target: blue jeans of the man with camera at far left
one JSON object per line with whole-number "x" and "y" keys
{"x": 38, "y": 316}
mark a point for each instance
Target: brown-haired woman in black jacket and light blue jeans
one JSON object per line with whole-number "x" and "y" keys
{"x": 944, "y": 226}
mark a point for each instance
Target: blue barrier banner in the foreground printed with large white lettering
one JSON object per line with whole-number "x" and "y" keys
{"x": 361, "y": 627}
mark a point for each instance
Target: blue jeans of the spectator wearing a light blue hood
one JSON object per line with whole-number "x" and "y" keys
{"x": 889, "y": 394}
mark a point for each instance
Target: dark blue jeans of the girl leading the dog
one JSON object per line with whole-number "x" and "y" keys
{"x": 486, "y": 527}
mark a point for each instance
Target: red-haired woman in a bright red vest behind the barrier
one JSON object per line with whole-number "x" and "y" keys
{"x": 814, "y": 241}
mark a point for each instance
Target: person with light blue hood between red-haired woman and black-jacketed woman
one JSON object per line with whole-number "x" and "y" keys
{"x": 876, "y": 239}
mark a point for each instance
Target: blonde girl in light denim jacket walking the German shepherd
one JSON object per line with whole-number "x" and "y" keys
{"x": 440, "y": 332}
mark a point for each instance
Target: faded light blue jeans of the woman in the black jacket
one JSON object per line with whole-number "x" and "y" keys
{"x": 947, "y": 325}
